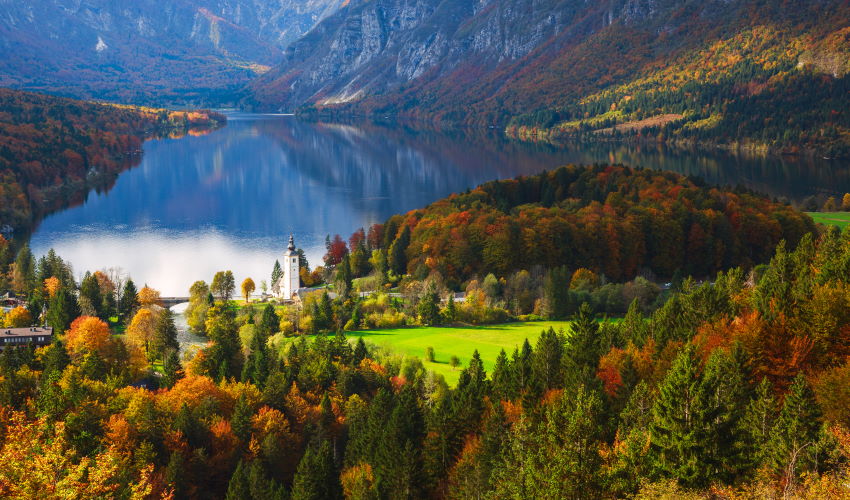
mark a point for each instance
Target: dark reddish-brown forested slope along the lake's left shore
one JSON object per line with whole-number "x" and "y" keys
{"x": 54, "y": 150}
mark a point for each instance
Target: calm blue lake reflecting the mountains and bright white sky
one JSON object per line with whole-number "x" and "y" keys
{"x": 229, "y": 199}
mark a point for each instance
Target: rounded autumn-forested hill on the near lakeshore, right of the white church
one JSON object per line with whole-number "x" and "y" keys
{"x": 613, "y": 220}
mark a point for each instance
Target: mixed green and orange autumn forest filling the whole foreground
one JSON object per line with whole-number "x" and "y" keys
{"x": 735, "y": 388}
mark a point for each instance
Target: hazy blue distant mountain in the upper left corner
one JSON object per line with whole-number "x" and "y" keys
{"x": 146, "y": 50}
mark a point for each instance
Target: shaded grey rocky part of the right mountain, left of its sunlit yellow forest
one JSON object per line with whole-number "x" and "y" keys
{"x": 450, "y": 58}
